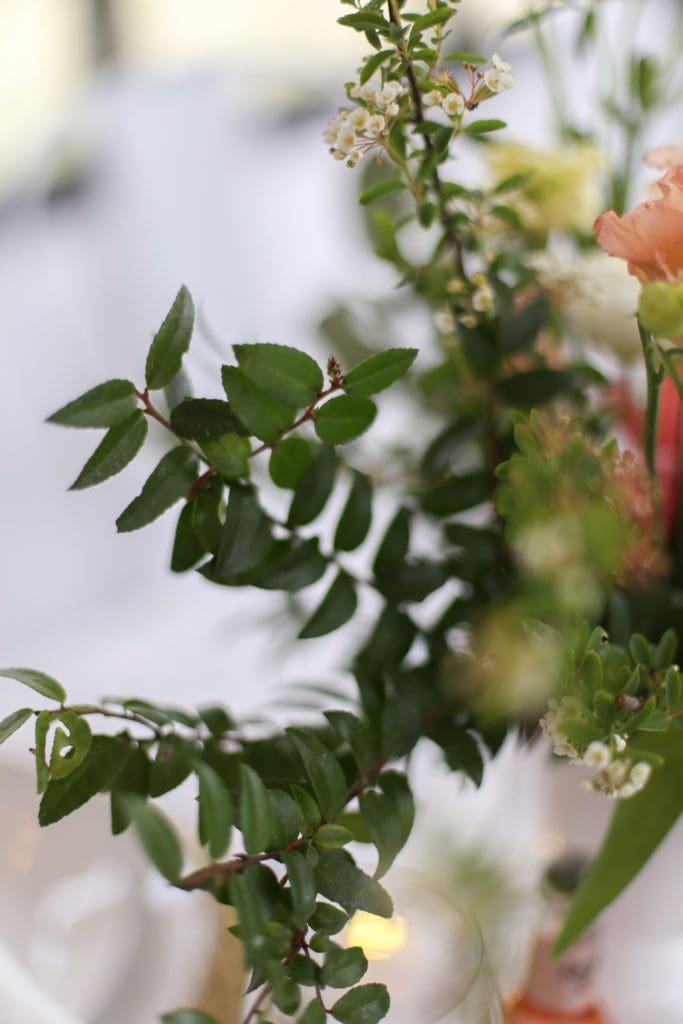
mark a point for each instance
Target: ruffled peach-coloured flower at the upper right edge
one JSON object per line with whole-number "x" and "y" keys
{"x": 650, "y": 239}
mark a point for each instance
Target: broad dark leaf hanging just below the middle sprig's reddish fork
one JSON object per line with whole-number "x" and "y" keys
{"x": 246, "y": 538}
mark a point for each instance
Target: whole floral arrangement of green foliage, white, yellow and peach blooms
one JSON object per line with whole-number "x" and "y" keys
{"x": 531, "y": 574}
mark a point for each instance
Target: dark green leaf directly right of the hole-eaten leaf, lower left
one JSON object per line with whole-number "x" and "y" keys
{"x": 98, "y": 772}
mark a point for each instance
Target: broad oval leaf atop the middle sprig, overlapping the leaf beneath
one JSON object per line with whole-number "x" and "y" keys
{"x": 281, "y": 372}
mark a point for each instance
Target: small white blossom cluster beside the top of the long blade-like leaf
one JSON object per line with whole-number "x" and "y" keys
{"x": 615, "y": 777}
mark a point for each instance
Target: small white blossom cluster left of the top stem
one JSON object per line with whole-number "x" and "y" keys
{"x": 353, "y": 133}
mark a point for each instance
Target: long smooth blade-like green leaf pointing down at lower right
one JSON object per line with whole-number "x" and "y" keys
{"x": 638, "y": 827}
